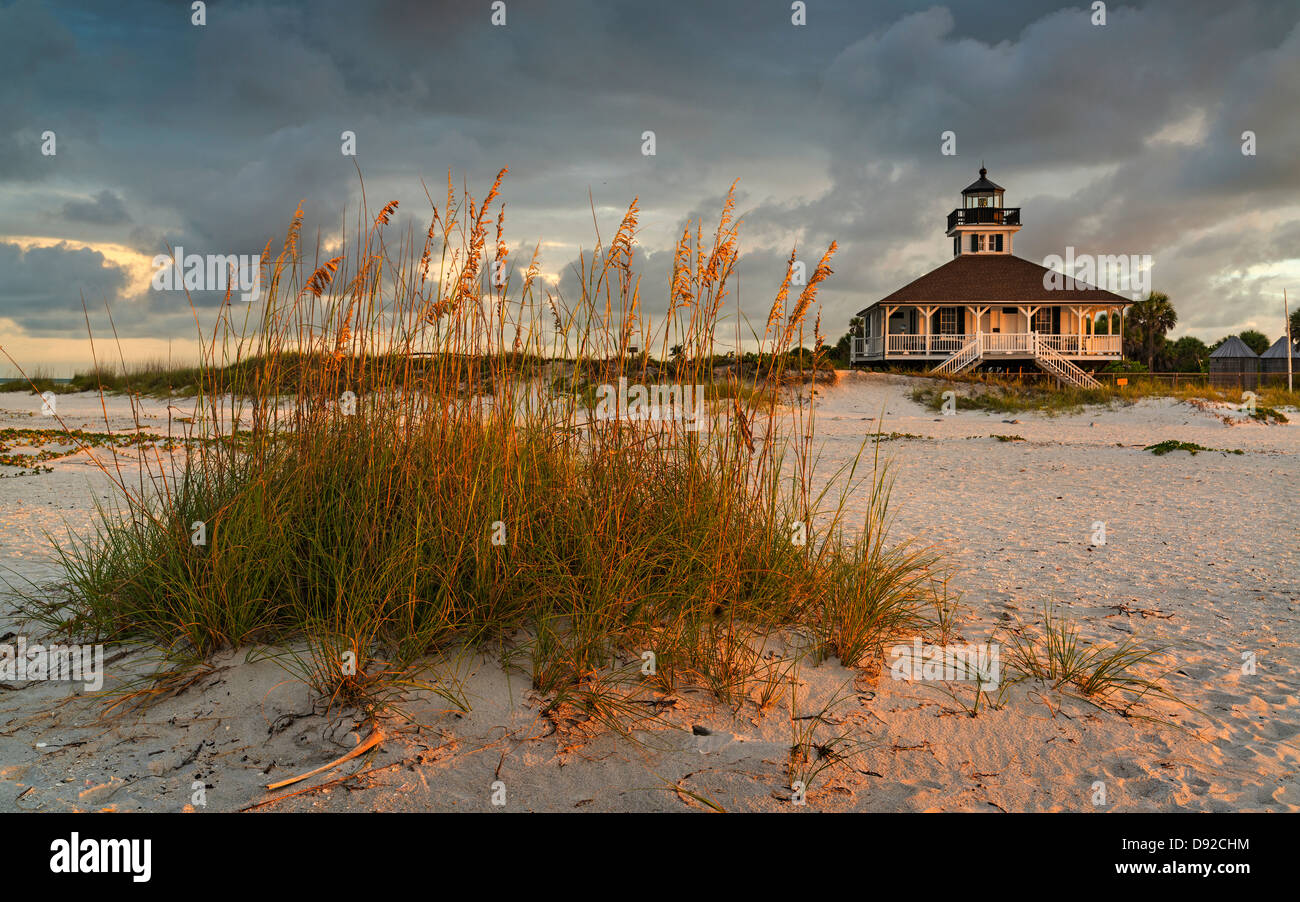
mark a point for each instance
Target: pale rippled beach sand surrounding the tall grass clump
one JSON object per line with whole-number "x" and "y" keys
{"x": 1202, "y": 554}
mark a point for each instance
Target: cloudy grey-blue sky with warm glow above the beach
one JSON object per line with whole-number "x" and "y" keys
{"x": 1124, "y": 138}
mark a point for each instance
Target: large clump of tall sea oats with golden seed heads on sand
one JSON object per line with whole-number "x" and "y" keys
{"x": 413, "y": 476}
